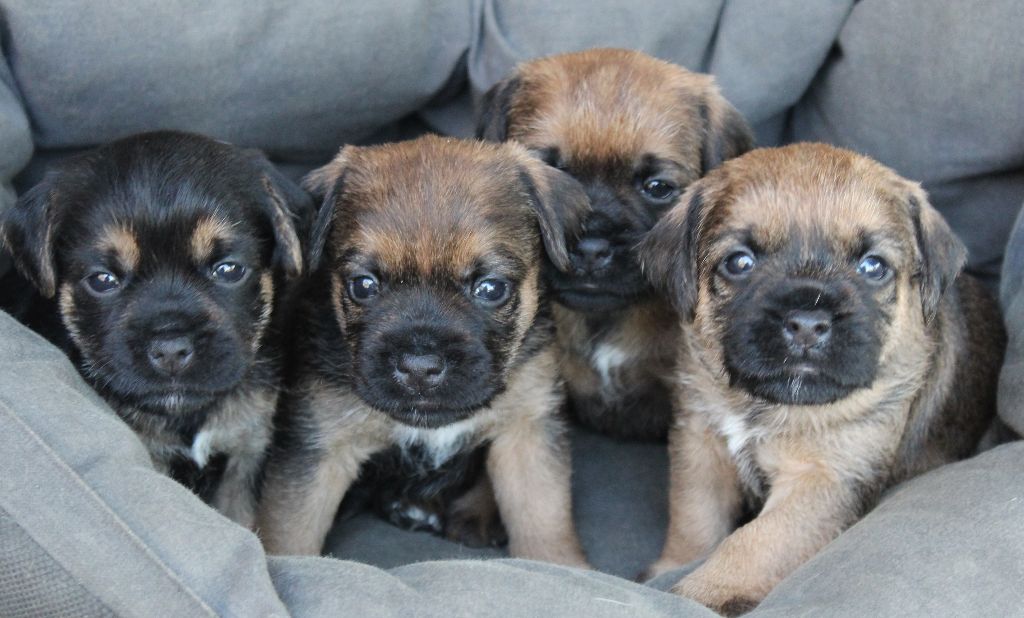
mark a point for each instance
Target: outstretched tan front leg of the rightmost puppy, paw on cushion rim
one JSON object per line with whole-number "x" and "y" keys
{"x": 807, "y": 508}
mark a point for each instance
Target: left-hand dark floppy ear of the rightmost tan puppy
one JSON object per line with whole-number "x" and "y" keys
{"x": 668, "y": 253}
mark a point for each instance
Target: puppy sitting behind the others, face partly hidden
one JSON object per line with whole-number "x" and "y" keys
{"x": 636, "y": 133}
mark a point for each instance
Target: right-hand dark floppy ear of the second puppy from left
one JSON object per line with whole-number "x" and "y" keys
{"x": 561, "y": 204}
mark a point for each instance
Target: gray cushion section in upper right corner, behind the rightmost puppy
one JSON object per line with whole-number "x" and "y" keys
{"x": 933, "y": 90}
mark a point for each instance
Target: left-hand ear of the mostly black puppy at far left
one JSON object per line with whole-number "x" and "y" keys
{"x": 28, "y": 230}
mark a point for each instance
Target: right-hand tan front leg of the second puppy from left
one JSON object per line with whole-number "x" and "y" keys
{"x": 529, "y": 464}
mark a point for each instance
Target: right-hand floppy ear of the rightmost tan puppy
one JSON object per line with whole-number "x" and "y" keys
{"x": 943, "y": 255}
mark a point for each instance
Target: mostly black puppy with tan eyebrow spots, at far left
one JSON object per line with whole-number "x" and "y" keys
{"x": 165, "y": 254}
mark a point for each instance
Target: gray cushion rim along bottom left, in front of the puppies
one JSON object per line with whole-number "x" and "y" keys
{"x": 106, "y": 534}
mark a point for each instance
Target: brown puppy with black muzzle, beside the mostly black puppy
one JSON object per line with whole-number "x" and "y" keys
{"x": 428, "y": 331}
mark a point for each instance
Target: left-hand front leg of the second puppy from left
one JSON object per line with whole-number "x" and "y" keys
{"x": 301, "y": 498}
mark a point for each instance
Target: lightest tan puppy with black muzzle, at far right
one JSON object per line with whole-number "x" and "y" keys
{"x": 830, "y": 348}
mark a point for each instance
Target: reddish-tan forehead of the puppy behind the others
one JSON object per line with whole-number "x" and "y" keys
{"x": 608, "y": 104}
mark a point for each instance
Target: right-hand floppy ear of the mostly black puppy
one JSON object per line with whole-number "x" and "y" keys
{"x": 290, "y": 211}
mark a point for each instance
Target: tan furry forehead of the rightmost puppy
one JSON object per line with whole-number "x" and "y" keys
{"x": 832, "y": 196}
